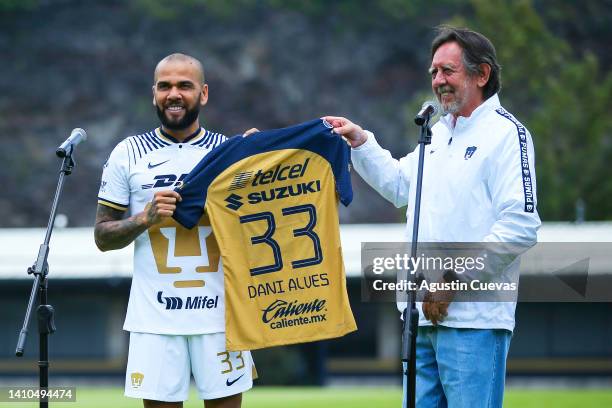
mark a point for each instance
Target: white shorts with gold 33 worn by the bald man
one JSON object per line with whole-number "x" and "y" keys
{"x": 160, "y": 367}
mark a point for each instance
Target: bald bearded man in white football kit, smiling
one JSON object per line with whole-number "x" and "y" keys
{"x": 176, "y": 313}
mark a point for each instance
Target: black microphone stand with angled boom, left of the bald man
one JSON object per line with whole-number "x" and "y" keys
{"x": 40, "y": 269}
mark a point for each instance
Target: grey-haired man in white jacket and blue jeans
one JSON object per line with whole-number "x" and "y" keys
{"x": 478, "y": 186}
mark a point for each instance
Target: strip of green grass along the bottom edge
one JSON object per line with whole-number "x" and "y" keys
{"x": 305, "y": 397}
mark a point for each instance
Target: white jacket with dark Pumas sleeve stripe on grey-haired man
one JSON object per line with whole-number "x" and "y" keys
{"x": 478, "y": 186}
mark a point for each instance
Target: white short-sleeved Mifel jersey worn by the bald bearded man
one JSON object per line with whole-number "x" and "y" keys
{"x": 177, "y": 284}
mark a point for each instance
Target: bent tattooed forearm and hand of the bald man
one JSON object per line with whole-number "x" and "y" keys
{"x": 113, "y": 232}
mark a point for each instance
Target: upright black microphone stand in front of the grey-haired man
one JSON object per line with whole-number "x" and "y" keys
{"x": 411, "y": 314}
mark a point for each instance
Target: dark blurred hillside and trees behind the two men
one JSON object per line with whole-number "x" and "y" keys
{"x": 273, "y": 63}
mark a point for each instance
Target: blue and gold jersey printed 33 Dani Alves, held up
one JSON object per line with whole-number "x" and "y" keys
{"x": 272, "y": 200}
